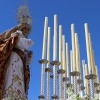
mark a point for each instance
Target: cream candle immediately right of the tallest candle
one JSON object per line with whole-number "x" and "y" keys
{"x": 60, "y": 45}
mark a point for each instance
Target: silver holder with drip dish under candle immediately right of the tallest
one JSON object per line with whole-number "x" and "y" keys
{"x": 60, "y": 72}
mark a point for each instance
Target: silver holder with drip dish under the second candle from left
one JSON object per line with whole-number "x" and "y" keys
{"x": 48, "y": 70}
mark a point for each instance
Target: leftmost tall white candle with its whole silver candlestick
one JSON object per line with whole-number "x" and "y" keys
{"x": 43, "y": 61}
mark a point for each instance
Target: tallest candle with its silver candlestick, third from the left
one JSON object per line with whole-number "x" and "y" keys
{"x": 55, "y": 63}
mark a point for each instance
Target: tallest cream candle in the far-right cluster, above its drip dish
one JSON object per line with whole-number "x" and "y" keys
{"x": 87, "y": 48}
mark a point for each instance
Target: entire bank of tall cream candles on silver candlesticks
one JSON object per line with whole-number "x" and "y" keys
{"x": 66, "y": 74}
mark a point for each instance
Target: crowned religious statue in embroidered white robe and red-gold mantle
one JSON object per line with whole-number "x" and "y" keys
{"x": 15, "y": 58}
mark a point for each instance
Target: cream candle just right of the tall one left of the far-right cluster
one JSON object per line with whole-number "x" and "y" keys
{"x": 76, "y": 52}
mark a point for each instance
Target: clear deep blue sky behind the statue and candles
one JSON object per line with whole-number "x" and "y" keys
{"x": 68, "y": 12}
